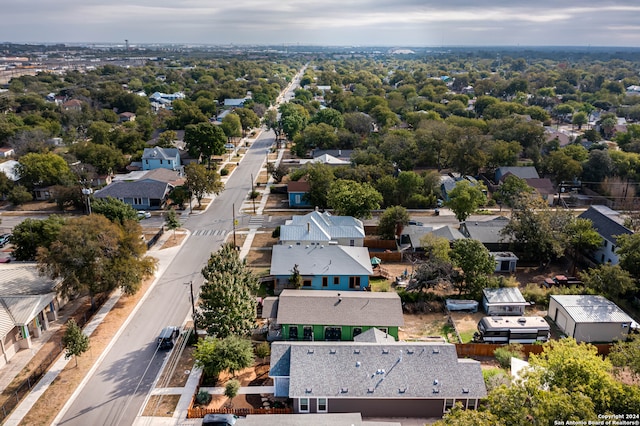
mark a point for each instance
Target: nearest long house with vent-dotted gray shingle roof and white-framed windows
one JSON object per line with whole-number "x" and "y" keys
{"x": 376, "y": 379}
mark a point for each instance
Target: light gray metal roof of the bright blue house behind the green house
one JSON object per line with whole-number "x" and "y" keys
{"x": 321, "y": 260}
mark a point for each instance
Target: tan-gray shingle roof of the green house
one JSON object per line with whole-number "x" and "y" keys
{"x": 327, "y": 307}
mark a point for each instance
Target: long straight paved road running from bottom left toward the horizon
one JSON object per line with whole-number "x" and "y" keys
{"x": 114, "y": 394}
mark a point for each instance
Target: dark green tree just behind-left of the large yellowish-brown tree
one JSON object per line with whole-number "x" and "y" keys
{"x": 30, "y": 234}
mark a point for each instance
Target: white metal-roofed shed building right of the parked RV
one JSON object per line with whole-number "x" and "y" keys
{"x": 589, "y": 318}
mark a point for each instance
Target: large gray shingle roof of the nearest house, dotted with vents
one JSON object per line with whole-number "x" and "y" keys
{"x": 411, "y": 370}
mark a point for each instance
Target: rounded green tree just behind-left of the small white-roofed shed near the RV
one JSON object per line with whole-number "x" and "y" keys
{"x": 476, "y": 263}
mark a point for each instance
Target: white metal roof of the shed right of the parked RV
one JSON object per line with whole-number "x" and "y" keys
{"x": 592, "y": 309}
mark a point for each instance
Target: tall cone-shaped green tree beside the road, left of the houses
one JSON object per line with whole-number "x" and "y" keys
{"x": 227, "y": 298}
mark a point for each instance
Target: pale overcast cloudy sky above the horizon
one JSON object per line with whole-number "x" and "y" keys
{"x": 399, "y": 23}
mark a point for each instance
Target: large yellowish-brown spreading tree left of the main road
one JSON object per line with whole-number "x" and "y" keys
{"x": 94, "y": 255}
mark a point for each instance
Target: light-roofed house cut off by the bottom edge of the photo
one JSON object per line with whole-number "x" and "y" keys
{"x": 318, "y": 419}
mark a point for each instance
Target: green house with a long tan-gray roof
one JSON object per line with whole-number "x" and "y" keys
{"x": 333, "y": 315}
